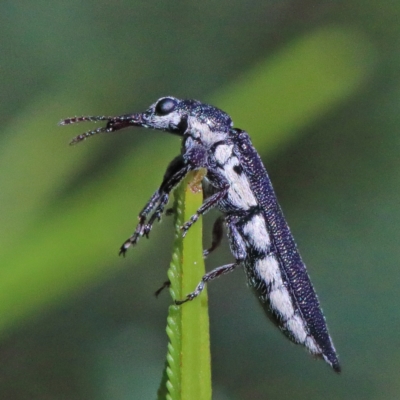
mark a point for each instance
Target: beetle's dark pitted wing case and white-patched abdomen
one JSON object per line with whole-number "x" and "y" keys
{"x": 280, "y": 276}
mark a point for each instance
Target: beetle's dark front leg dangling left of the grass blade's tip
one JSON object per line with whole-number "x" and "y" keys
{"x": 176, "y": 171}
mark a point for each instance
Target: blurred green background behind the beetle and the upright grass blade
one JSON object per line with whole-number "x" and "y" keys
{"x": 317, "y": 86}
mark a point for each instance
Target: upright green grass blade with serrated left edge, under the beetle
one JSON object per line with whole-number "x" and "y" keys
{"x": 189, "y": 368}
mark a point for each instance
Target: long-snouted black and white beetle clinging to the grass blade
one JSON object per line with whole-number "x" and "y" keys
{"x": 238, "y": 185}
